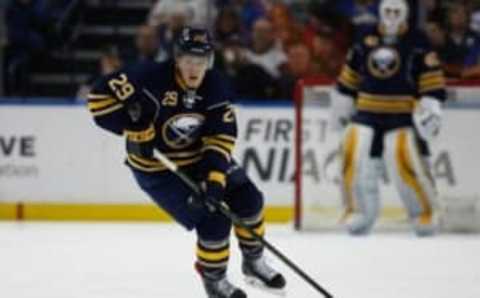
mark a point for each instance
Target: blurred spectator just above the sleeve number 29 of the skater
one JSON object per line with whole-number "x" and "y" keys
{"x": 108, "y": 63}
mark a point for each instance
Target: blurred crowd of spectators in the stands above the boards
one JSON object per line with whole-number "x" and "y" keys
{"x": 263, "y": 46}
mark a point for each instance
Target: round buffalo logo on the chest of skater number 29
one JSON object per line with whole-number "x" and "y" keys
{"x": 182, "y": 130}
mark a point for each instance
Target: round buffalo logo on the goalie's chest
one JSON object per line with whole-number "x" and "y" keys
{"x": 384, "y": 62}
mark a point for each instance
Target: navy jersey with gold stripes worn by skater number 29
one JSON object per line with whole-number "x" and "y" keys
{"x": 150, "y": 105}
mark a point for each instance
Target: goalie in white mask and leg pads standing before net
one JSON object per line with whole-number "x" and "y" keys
{"x": 397, "y": 87}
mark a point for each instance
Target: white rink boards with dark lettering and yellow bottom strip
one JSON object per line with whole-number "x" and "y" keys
{"x": 55, "y": 164}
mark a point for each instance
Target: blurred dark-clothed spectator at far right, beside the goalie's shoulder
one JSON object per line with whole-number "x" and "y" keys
{"x": 460, "y": 40}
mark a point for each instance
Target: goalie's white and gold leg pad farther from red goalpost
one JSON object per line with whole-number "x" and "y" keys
{"x": 410, "y": 172}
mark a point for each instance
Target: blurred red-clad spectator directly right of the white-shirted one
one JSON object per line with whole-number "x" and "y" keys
{"x": 299, "y": 64}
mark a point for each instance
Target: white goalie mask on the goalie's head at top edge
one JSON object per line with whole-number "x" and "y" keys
{"x": 393, "y": 17}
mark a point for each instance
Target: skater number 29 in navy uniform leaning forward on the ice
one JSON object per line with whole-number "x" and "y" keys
{"x": 182, "y": 108}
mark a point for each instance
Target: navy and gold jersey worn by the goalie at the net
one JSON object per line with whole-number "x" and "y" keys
{"x": 387, "y": 78}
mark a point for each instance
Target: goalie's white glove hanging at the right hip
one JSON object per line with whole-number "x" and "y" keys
{"x": 427, "y": 118}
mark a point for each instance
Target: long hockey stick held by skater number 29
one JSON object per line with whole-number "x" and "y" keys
{"x": 225, "y": 210}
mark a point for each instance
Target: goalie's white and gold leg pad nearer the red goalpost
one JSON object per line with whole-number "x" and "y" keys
{"x": 359, "y": 180}
